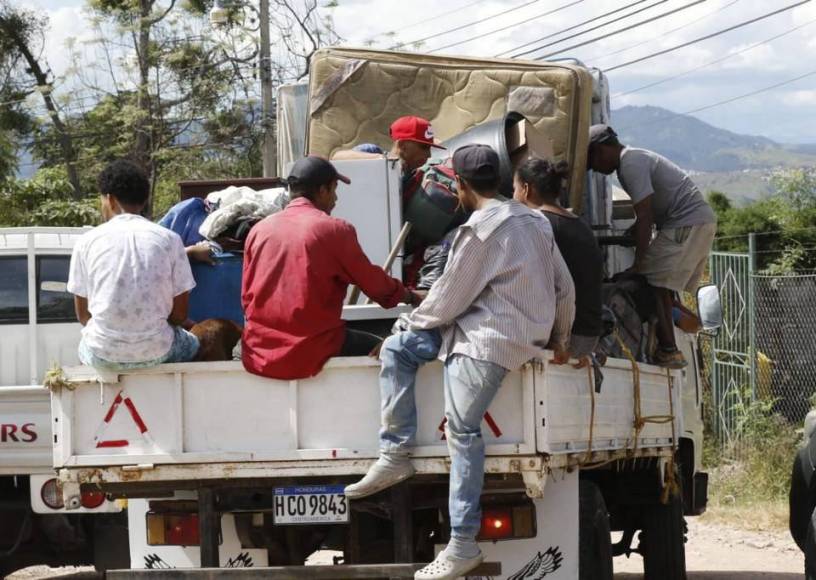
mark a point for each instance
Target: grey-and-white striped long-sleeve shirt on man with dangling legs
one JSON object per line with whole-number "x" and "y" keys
{"x": 505, "y": 291}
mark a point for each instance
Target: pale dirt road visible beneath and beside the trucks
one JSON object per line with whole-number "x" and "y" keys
{"x": 713, "y": 552}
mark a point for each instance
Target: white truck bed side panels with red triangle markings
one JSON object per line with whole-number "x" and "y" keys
{"x": 197, "y": 421}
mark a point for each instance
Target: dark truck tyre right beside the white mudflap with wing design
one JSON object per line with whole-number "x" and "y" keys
{"x": 594, "y": 540}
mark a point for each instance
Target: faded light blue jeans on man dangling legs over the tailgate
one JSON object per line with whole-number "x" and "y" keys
{"x": 470, "y": 386}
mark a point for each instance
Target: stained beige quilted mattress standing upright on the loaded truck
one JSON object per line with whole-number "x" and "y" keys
{"x": 355, "y": 95}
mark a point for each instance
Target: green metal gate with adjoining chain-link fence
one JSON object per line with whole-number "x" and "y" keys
{"x": 765, "y": 353}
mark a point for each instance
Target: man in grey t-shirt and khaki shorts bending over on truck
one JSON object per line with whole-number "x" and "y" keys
{"x": 664, "y": 196}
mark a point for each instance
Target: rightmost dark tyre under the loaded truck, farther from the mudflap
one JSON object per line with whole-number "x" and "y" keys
{"x": 663, "y": 539}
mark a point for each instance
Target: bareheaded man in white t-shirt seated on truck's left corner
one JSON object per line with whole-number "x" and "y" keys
{"x": 131, "y": 281}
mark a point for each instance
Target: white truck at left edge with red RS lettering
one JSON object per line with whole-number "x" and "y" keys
{"x": 40, "y": 331}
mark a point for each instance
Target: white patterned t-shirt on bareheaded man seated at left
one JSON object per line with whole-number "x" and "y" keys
{"x": 129, "y": 269}
